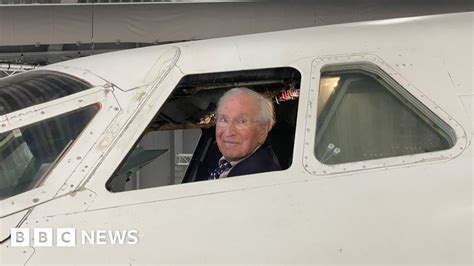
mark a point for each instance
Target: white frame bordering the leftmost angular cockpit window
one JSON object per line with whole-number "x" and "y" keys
{"x": 64, "y": 168}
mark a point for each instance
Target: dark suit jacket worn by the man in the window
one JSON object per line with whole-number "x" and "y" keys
{"x": 262, "y": 160}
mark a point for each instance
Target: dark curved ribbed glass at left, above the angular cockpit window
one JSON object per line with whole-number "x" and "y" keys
{"x": 35, "y": 87}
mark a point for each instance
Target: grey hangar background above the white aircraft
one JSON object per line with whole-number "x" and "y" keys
{"x": 40, "y": 32}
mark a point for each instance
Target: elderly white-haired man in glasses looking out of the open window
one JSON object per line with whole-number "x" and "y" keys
{"x": 244, "y": 119}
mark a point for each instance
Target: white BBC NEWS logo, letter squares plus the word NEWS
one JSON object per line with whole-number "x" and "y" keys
{"x": 68, "y": 237}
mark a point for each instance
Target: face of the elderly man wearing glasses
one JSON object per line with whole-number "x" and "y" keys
{"x": 238, "y": 131}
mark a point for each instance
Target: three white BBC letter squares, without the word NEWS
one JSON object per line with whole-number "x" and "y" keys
{"x": 43, "y": 237}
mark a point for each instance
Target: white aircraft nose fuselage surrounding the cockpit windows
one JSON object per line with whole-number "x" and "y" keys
{"x": 414, "y": 209}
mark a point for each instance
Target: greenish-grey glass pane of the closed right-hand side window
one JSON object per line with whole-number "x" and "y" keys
{"x": 361, "y": 118}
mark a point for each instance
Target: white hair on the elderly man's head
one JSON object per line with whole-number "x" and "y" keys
{"x": 267, "y": 112}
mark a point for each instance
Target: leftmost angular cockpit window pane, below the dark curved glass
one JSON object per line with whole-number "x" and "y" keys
{"x": 28, "y": 153}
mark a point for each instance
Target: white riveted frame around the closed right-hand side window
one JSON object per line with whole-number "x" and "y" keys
{"x": 373, "y": 64}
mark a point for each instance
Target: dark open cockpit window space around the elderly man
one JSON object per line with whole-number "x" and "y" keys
{"x": 179, "y": 144}
